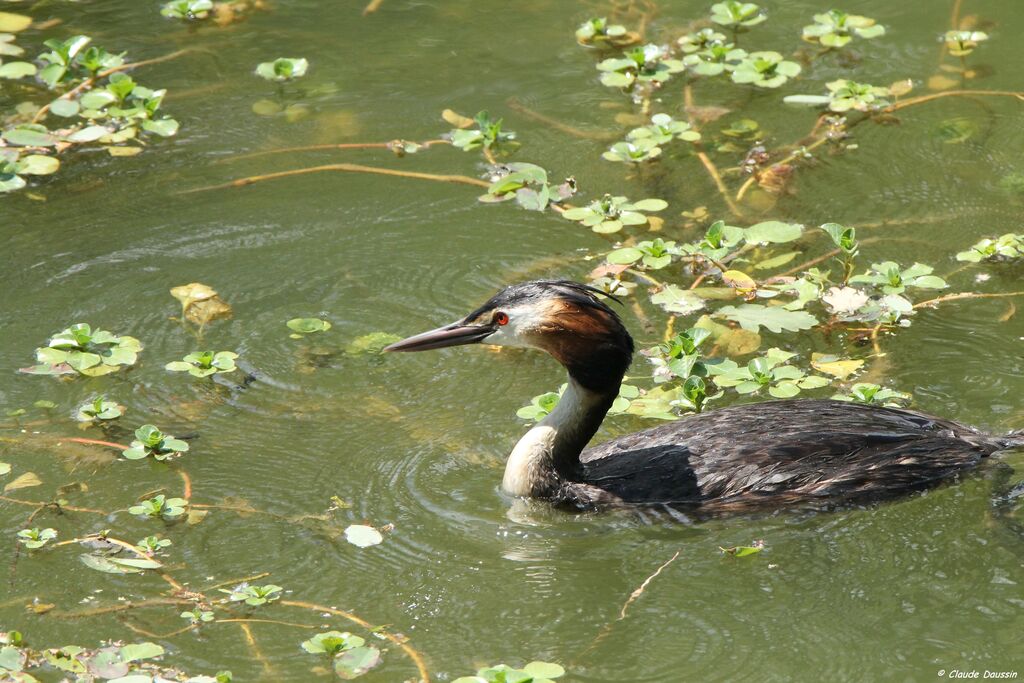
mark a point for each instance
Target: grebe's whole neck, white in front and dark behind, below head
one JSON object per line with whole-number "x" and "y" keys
{"x": 549, "y": 453}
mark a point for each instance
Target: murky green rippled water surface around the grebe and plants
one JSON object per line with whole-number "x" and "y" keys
{"x": 893, "y": 592}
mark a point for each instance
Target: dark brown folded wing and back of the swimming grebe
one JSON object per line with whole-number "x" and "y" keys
{"x": 785, "y": 451}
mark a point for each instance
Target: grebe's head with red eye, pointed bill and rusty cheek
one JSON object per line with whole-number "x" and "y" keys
{"x": 568, "y": 320}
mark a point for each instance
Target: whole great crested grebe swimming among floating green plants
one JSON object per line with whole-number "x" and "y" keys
{"x": 745, "y": 457}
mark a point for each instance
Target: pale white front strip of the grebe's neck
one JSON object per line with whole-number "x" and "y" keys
{"x": 532, "y": 463}
